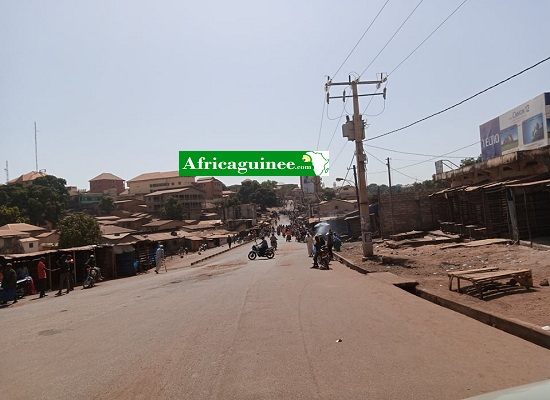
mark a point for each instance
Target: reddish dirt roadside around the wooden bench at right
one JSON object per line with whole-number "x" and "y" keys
{"x": 429, "y": 265}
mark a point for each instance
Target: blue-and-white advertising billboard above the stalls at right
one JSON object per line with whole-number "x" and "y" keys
{"x": 523, "y": 128}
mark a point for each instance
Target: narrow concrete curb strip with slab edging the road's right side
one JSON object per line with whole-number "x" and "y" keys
{"x": 524, "y": 330}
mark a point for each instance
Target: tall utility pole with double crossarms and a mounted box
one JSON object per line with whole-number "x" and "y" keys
{"x": 360, "y": 157}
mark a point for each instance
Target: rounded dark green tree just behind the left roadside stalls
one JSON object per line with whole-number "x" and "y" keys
{"x": 78, "y": 230}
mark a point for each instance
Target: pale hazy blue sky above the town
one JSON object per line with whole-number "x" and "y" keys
{"x": 122, "y": 86}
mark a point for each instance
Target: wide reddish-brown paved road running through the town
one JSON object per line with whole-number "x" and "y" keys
{"x": 230, "y": 328}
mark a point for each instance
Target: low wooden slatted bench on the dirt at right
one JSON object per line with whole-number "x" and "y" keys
{"x": 481, "y": 276}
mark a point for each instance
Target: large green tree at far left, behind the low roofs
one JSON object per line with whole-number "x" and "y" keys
{"x": 42, "y": 202}
